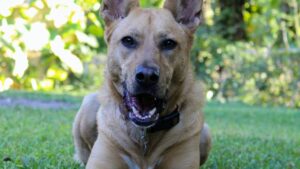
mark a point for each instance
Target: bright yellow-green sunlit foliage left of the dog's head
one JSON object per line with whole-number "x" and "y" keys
{"x": 47, "y": 44}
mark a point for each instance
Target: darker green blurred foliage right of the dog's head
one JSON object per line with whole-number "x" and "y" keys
{"x": 263, "y": 66}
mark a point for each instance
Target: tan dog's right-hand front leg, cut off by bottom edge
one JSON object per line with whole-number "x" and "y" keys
{"x": 186, "y": 155}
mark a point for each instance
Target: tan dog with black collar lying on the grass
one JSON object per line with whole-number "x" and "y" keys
{"x": 148, "y": 114}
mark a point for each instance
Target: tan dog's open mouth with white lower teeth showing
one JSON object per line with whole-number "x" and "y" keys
{"x": 143, "y": 109}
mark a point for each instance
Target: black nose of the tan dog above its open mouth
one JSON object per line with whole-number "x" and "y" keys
{"x": 146, "y": 76}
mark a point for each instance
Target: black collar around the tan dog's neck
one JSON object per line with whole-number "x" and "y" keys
{"x": 166, "y": 122}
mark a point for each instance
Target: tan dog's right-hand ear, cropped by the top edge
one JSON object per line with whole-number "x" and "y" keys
{"x": 186, "y": 12}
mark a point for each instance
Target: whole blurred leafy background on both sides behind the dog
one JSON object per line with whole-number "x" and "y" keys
{"x": 246, "y": 50}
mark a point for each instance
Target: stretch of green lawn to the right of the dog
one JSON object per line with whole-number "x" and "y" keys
{"x": 251, "y": 137}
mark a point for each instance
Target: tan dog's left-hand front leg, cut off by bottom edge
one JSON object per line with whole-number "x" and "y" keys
{"x": 105, "y": 155}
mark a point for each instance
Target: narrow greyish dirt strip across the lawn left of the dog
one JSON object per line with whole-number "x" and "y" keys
{"x": 38, "y": 104}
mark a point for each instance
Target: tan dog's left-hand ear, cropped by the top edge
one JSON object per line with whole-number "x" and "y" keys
{"x": 112, "y": 10}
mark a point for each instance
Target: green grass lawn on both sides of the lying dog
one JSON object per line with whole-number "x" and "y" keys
{"x": 247, "y": 137}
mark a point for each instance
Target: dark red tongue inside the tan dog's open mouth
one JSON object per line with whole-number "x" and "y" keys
{"x": 144, "y": 103}
